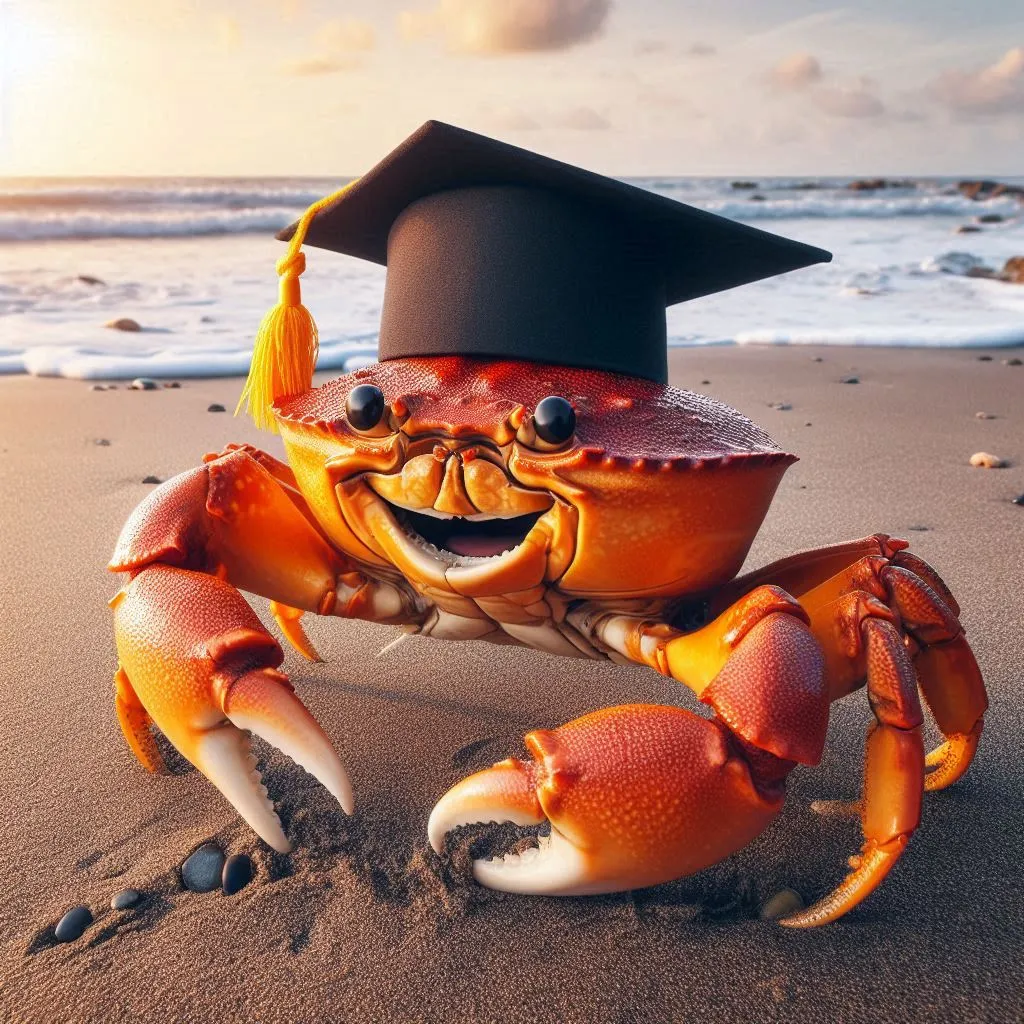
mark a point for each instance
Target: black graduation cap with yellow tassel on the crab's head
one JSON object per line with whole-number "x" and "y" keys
{"x": 496, "y": 251}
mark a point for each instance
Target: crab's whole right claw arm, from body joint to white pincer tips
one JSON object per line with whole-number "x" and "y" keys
{"x": 643, "y": 794}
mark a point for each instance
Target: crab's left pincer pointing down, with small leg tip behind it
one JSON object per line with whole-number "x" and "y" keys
{"x": 197, "y": 662}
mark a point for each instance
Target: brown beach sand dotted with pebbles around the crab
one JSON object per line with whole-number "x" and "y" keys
{"x": 362, "y": 923}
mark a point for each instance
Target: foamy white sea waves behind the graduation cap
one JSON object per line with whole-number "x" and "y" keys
{"x": 193, "y": 262}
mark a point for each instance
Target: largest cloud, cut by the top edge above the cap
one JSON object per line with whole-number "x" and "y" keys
{"x": 508, "y": 26}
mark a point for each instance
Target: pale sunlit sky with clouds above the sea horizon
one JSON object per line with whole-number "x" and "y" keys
{"x": 627, "y": 88}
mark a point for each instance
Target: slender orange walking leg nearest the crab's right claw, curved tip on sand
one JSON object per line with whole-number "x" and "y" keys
{"x": 894, "y": 759}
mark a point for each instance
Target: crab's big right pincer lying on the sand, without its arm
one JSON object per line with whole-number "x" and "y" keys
{"x": 635, "y": 795}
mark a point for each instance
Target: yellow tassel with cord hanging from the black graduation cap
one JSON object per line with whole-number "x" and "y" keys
{"x": 287, "y": 343}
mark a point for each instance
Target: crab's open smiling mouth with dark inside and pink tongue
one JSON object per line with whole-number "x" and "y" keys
{"x": 467, "y": 539}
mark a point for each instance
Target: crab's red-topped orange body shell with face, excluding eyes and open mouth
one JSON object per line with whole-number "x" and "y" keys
{"x": 661, "y": 492}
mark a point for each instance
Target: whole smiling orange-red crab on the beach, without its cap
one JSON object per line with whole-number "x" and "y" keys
{"x": 583, "y": 514}
